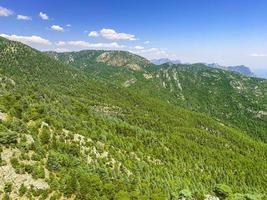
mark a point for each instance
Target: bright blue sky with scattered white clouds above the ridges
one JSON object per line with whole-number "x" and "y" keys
{"x": 228, "y": 32}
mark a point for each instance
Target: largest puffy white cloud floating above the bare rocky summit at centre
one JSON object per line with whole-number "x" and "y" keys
{"x": 111, "y": 34}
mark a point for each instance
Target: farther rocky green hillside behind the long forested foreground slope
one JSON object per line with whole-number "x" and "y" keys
{"x": 233, "y": 98}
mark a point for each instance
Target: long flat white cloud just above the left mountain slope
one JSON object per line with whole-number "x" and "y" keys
{"x": 27, "y": 39}
